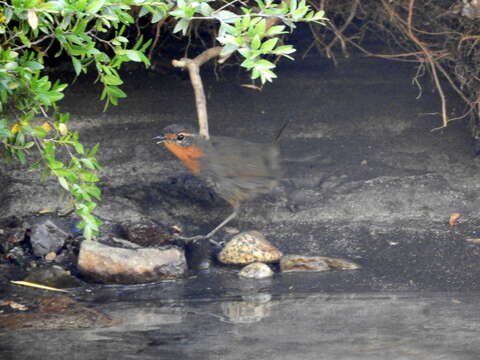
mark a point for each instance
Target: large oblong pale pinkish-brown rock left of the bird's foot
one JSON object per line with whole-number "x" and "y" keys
{"x": 108, "y": 264}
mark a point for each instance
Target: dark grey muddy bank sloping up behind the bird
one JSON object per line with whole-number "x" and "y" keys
{"x": 362, "y": 166}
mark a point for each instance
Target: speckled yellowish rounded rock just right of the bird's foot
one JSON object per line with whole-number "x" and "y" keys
{"x": 249, "y": 247}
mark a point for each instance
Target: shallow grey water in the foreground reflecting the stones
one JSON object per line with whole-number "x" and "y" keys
{"x": 261, "y": 321}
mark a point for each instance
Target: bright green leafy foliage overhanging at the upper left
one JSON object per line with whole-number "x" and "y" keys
{"x": 93, "y": 35}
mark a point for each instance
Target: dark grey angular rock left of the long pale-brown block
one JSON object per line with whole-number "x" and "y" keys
{"x": 47, "y": 237}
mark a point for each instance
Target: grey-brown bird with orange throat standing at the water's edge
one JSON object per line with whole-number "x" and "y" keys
{"x": 236, "y": 169}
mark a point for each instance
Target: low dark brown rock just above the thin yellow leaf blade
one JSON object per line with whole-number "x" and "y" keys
{"x": 54, "y": 276}
